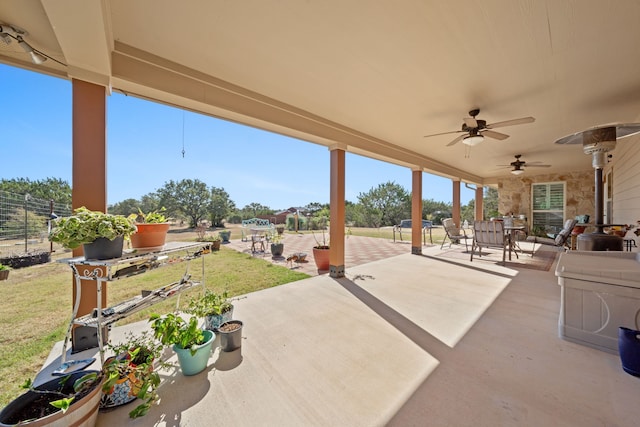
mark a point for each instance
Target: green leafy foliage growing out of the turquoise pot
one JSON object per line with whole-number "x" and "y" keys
{"x": 173, "y": 329}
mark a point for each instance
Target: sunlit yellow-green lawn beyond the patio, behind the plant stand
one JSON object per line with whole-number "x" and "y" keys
{"x": 37, "y": 306}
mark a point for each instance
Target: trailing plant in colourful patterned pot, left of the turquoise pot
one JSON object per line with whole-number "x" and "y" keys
{"x": 130, "y": 373}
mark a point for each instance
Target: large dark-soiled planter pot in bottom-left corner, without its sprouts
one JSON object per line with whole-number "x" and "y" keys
{"x": 82, "y": 412}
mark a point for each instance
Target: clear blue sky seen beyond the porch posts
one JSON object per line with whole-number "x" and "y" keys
{"x": 145, "y": 141}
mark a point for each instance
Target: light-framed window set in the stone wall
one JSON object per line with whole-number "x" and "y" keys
{"x": 548, "y": 206}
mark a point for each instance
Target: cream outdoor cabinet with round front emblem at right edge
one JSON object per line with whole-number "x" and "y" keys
{"x": 600, "y": 291}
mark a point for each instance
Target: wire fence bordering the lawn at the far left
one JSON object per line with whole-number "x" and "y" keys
{"x": 25, "y": 223}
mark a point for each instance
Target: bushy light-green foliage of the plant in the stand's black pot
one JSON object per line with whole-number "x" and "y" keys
{"x": 85, "y": 226}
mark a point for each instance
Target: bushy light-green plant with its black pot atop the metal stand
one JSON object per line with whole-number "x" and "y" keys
{"x": 101, "y": 234}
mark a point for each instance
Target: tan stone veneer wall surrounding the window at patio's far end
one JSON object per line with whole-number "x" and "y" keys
{"x": 514, "y": 193}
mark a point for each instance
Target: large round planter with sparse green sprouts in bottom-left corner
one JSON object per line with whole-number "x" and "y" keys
{"x": 72, "y": 399}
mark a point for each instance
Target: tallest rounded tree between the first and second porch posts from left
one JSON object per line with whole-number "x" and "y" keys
{"x": 189, "y": 197}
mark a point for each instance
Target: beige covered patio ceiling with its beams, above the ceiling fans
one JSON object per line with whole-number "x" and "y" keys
{"x": 374, "y": 77}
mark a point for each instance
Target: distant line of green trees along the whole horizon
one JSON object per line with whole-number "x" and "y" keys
{"x": 192, "y": 201}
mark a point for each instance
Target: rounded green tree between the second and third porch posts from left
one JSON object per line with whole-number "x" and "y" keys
{"x": 385, "y": 205}
